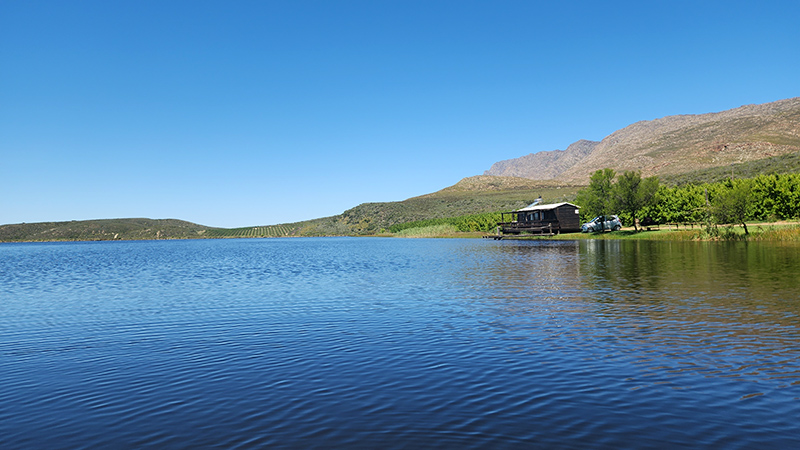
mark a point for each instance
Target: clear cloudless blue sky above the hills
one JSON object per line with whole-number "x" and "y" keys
{"x": 239, "y": 113}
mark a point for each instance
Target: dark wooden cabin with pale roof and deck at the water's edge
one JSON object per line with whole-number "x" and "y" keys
{"x": 554, "y": 218}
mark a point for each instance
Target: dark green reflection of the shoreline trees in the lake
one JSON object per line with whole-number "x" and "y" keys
{"x": 737, "y": 275}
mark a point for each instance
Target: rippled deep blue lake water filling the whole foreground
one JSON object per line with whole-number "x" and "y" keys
{"x": 399, "y": 343}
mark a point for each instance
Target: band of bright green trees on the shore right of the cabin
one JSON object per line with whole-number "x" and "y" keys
{"x": 764, "y": 197}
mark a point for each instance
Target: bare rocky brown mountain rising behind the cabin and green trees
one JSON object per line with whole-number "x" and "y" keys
{"x": 672, "y": 145}
